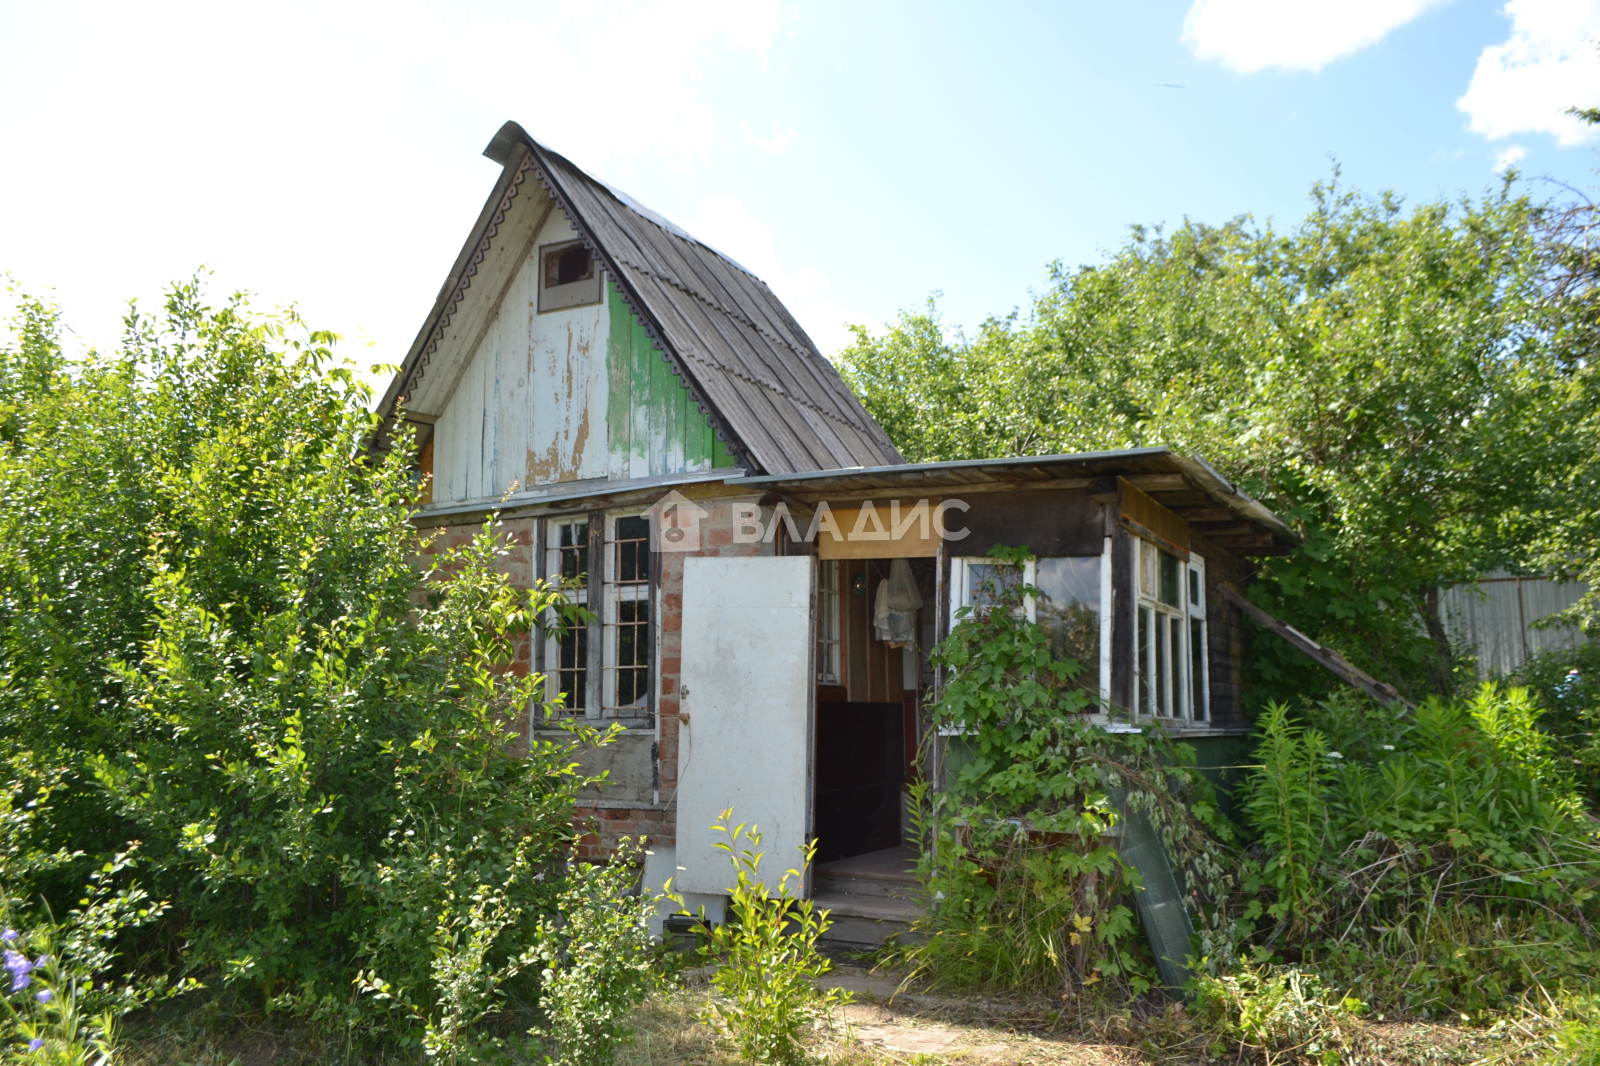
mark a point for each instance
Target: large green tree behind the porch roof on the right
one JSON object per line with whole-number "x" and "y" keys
{"x": 1383, "y": 377}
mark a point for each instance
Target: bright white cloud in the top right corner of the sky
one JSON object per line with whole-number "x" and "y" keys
{"x": 1550, "y": 63}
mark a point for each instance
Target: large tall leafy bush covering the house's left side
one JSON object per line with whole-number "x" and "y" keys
{"x": 212, "y": 623}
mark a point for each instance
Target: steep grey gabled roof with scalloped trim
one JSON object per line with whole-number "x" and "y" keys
{"x": 769, "y": 393}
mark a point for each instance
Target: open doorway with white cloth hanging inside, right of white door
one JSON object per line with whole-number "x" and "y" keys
{"x": 874, "y": 627}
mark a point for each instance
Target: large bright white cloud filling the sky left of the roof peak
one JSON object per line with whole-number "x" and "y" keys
{"x": 326, "y": 153}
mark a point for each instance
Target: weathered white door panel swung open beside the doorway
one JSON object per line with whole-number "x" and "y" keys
{"x": 746, "y": 686}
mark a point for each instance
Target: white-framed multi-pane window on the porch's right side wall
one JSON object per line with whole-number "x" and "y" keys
{"x": 1170, "y": 643}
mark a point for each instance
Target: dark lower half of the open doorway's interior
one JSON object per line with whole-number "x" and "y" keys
{"x": 860, "y": 772}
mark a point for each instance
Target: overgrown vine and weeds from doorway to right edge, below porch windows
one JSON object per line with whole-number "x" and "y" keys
{"x": 1439, "y": 862}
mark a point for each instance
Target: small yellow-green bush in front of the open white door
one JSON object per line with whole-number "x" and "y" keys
{"x": 766, "y": 953}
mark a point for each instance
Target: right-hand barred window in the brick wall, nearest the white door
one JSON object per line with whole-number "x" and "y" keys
{"x": 626, "y": 620}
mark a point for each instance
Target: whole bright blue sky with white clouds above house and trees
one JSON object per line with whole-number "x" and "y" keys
{"x": 858, "y": 156}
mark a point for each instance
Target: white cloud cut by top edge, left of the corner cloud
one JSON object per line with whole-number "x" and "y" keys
{"x": 1250, "y": 36}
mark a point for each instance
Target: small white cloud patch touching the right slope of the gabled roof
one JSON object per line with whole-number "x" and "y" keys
{"x": 724, "y": 223}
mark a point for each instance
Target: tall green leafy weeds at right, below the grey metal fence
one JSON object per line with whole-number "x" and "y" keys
{"x": 1441, "y": 860}
